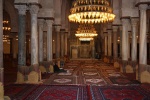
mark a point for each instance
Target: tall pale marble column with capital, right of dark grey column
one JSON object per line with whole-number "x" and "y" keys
{"x": 34, "y": 34}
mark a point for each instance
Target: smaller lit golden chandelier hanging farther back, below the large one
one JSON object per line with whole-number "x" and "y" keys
{"x": 86, "y": 32}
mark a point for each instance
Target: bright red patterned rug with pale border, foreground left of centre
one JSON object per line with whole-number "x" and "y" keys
{"x": 59, "y": 92}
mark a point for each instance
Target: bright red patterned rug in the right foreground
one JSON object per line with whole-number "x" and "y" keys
{"x": 118, "y": 93}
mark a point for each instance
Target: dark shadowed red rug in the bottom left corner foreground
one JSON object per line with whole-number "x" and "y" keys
{"x": 18, "y": 91}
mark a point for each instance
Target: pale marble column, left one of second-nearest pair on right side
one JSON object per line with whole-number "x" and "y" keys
{"x": 124, "y": 39}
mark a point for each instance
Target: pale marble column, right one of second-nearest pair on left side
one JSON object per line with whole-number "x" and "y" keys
{"x": 49, "y": 40}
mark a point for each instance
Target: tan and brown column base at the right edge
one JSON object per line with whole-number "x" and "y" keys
{"x": 143, "y": 73}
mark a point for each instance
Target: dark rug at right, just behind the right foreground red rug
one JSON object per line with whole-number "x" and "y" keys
{"x": 122, "y": 81}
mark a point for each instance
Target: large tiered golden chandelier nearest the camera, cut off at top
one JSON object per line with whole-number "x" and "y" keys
{"x": 91, "y": 11}
